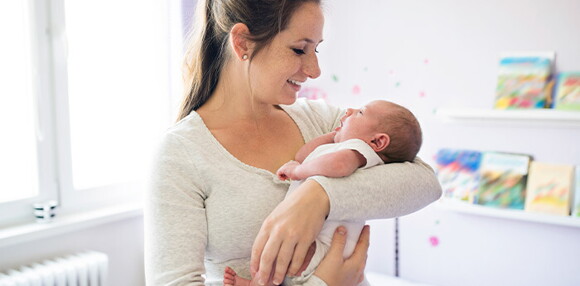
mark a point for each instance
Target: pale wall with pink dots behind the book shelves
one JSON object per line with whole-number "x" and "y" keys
{"x": 445, "y": 54}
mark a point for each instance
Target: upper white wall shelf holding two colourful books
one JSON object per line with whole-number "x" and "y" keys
{"x": 534, "y": 116}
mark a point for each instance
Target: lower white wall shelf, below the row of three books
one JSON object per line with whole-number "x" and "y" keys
{"x": 520, "y": 215}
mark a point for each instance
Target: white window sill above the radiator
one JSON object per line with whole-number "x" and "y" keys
{"x": 68, "y": 223}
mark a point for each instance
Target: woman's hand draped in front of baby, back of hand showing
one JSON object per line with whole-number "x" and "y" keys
{"x": 288, "y": 232}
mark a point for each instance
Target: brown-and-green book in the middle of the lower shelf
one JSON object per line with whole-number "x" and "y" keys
{"x": 502, "y": 180}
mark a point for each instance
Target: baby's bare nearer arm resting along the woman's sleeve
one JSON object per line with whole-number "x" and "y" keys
{"x": 334, "y": 165}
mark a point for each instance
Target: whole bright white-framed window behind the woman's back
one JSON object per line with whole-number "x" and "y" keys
{"x": 84, "y": 97}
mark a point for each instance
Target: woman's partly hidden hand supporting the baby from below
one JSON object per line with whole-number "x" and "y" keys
{"x": 335, "y": 270}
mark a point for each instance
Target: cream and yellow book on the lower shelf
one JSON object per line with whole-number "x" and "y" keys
{"x": 549, "y": 188}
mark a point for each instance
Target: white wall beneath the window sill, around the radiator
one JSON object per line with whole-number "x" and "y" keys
{"x": 122, "y": 241}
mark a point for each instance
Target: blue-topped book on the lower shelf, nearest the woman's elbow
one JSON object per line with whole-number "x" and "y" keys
{"x": 458, "y": 173}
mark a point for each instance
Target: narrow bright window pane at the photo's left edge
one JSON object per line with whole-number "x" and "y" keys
{"x": 18, "y": 152}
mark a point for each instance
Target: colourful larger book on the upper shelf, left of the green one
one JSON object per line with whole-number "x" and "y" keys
{"x": 523, "y": 79}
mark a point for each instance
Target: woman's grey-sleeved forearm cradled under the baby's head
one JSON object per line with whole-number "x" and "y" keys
{"x": 385, "y": 191}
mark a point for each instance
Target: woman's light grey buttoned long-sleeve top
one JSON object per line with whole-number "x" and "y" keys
{"x": 205, "y": 207}
